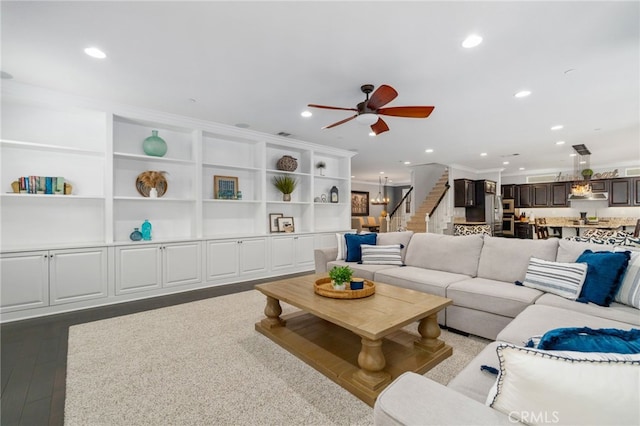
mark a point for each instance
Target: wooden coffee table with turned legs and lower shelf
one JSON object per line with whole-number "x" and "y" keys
{"x": 357, "y": 343}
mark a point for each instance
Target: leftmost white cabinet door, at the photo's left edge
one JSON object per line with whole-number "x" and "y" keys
{"x": 25, "y": 280}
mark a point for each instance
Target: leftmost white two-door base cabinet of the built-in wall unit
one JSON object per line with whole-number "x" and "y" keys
{"x": 52, "y": 277}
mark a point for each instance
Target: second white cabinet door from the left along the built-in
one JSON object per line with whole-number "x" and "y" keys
{"x": 77, "y": 275}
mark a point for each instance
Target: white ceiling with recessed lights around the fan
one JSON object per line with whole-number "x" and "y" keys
{"x": 260, "y": 63}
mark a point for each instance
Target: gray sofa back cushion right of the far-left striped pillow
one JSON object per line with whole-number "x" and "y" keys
{"x": 445, "y": 253}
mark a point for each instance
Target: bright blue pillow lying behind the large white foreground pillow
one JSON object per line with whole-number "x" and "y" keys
{"x": 585, "y": 339}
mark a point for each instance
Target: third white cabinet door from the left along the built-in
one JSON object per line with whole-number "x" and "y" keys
{"x": 138, "y": 268}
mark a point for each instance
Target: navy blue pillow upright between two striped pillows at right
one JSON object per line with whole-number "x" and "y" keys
{"x": 604, "y": 275}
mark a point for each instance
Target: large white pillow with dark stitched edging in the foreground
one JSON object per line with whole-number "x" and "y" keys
{"x": 570, "y": 388}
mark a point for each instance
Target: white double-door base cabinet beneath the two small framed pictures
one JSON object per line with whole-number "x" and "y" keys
{"x": 292, "y": 252}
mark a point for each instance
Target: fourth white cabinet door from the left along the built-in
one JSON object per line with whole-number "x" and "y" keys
{"x": 181, "y": 263}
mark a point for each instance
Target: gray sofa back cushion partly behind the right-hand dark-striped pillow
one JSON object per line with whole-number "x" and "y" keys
{"x": 506, "y": 259}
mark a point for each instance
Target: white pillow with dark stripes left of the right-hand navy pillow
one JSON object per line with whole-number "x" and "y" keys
{"x": 563, "y": 279}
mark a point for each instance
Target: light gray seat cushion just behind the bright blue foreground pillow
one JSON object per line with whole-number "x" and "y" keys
{"x": 538, "y": 319}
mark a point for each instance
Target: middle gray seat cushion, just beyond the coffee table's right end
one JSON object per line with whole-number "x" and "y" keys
{"x": 498, "y": 297}
